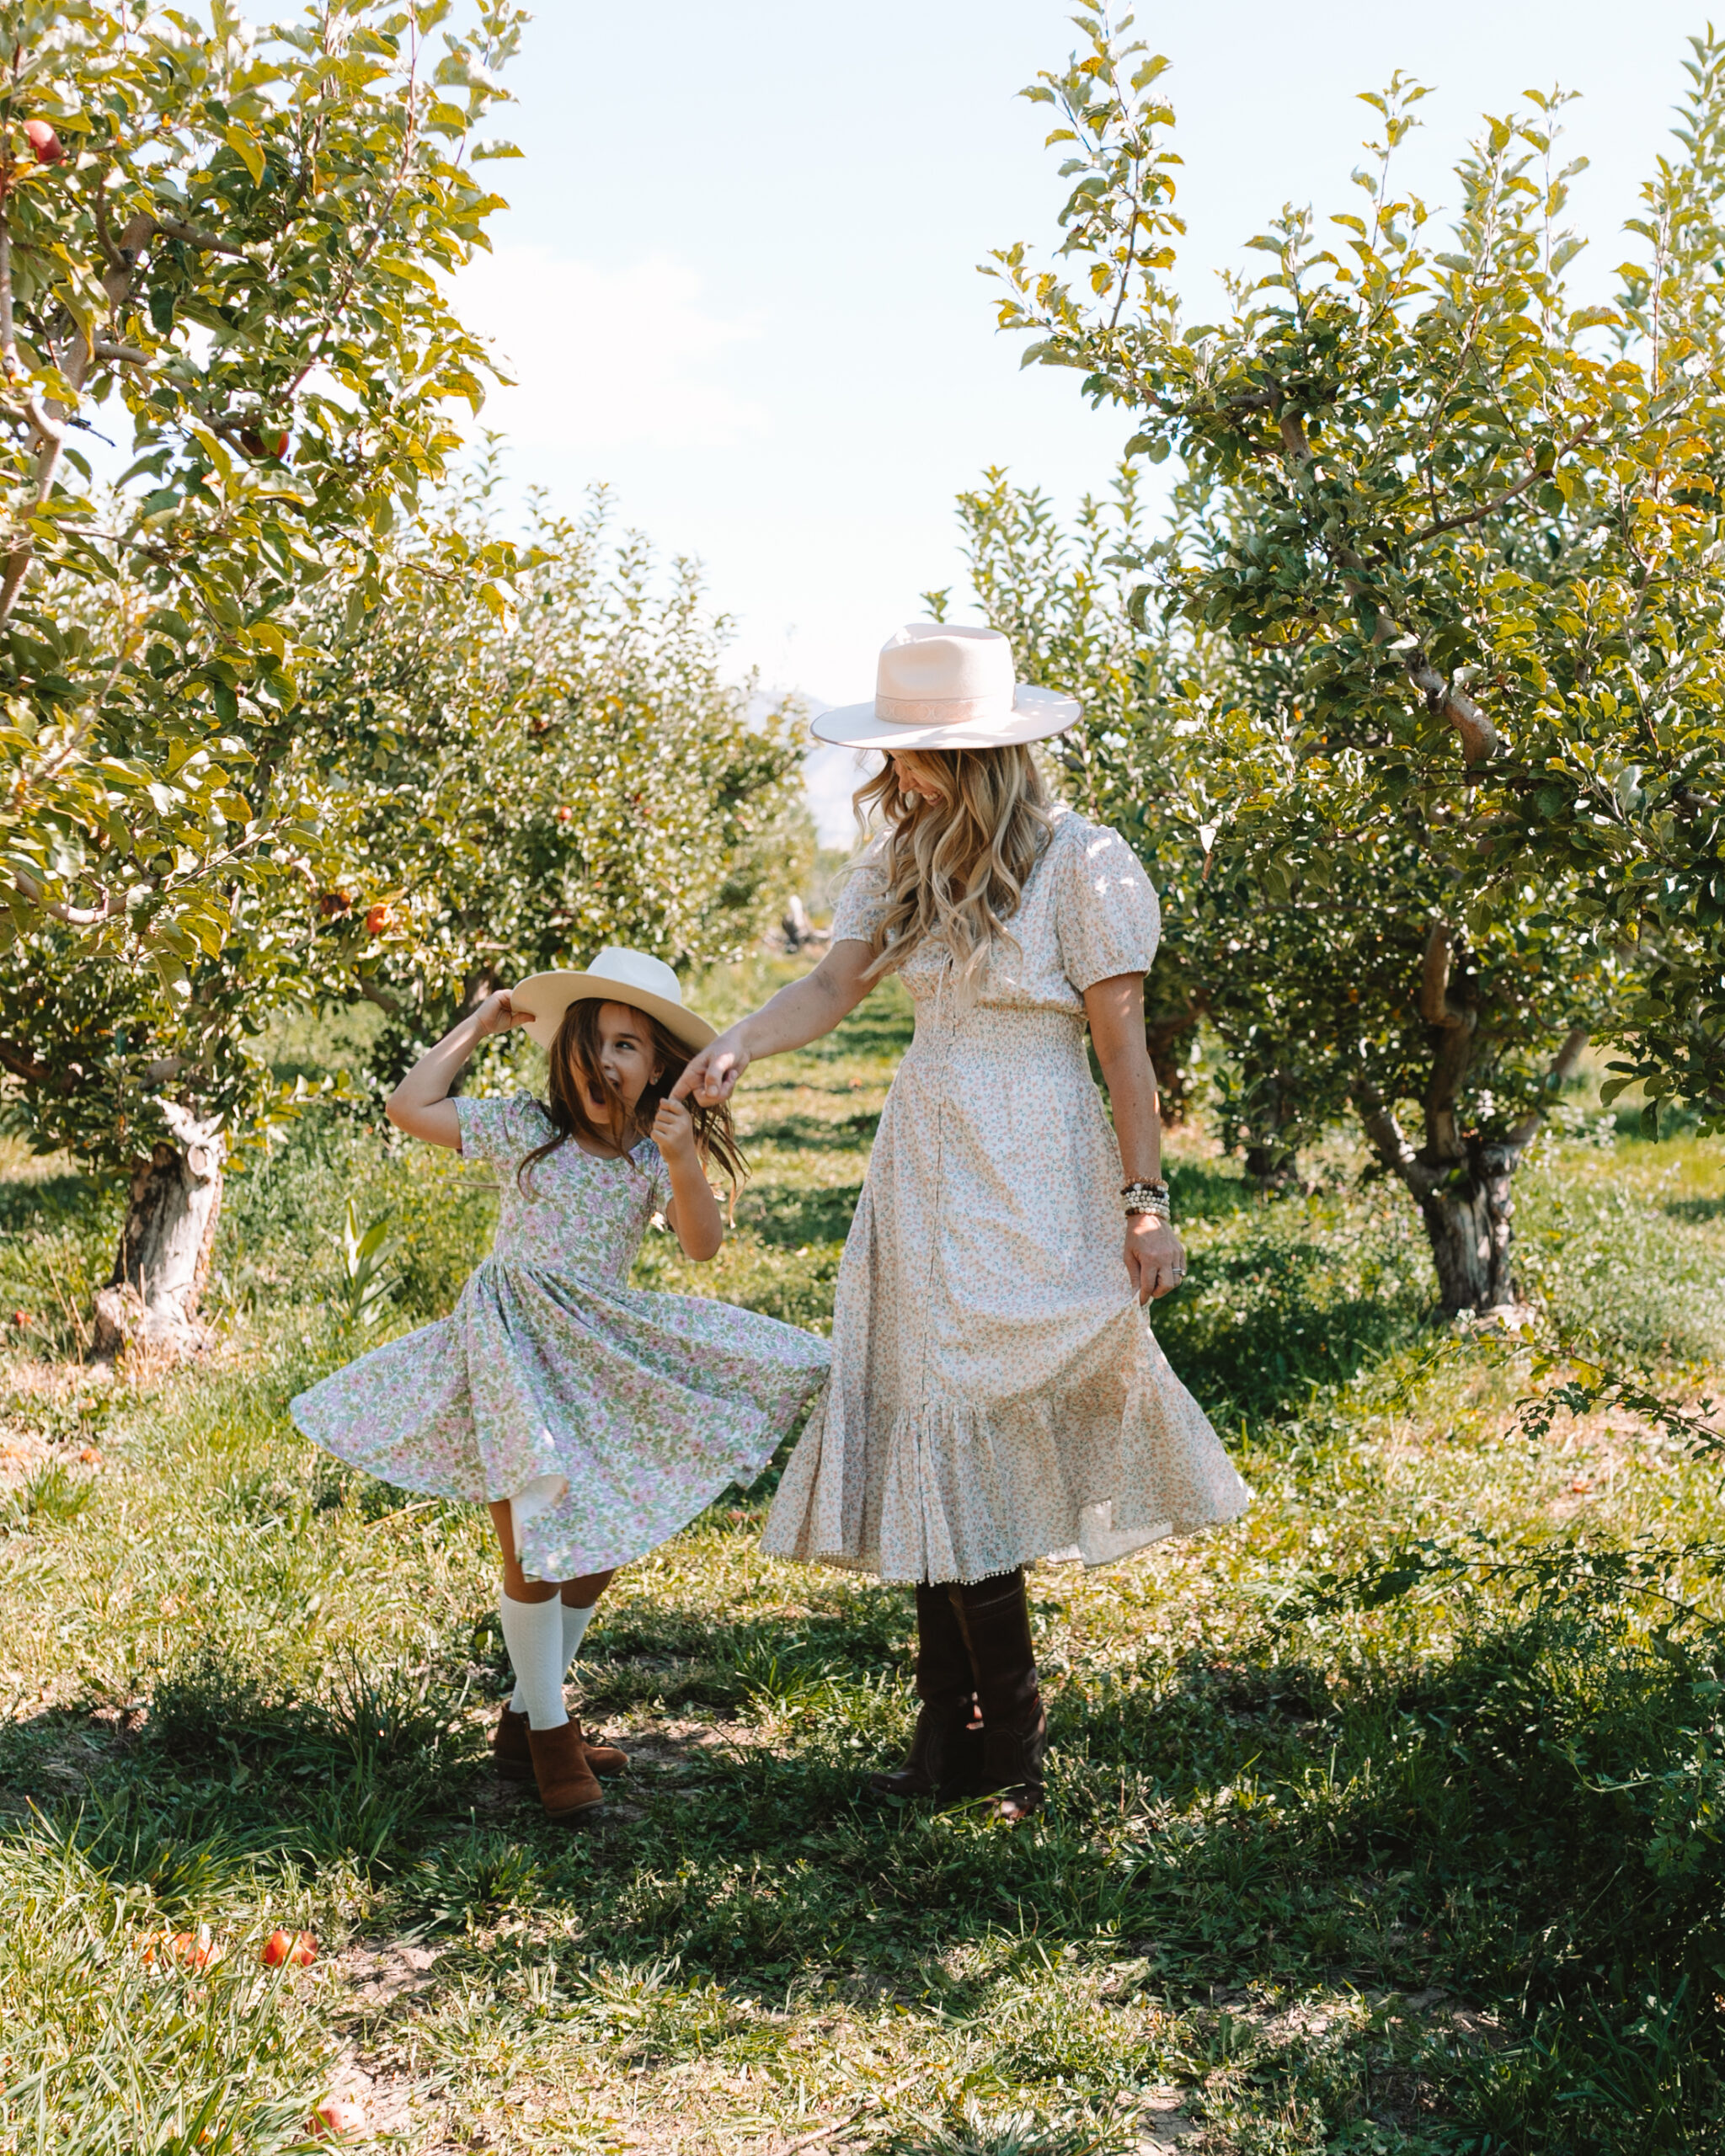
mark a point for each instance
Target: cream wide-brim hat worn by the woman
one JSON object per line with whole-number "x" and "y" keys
{"x": 948, "y": 689}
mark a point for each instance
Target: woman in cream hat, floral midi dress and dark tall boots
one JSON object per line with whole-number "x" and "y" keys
{"x": 997, "y": 1394}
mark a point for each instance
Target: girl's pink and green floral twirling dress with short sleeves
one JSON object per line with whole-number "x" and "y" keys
{"x": 611, "y": 1418}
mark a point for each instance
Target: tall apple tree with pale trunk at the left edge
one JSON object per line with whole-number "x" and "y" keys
{"x": 227, "y": 245}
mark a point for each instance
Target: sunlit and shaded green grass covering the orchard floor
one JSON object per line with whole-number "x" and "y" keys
{"x": 1336, "y": 1860}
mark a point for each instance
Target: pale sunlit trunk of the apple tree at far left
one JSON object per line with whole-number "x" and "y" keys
{"x": 163, "y": 1260}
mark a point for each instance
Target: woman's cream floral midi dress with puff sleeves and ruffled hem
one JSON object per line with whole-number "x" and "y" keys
{"x": 997, "y": 1394}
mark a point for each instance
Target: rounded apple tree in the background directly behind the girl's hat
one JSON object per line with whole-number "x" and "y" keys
{"x": 527, "y": 790}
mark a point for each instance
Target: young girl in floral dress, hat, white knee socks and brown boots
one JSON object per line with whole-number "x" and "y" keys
{"x": 592, "y": 1418}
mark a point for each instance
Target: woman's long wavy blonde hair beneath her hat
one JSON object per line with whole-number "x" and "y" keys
{"x": 961, "y": 848}
